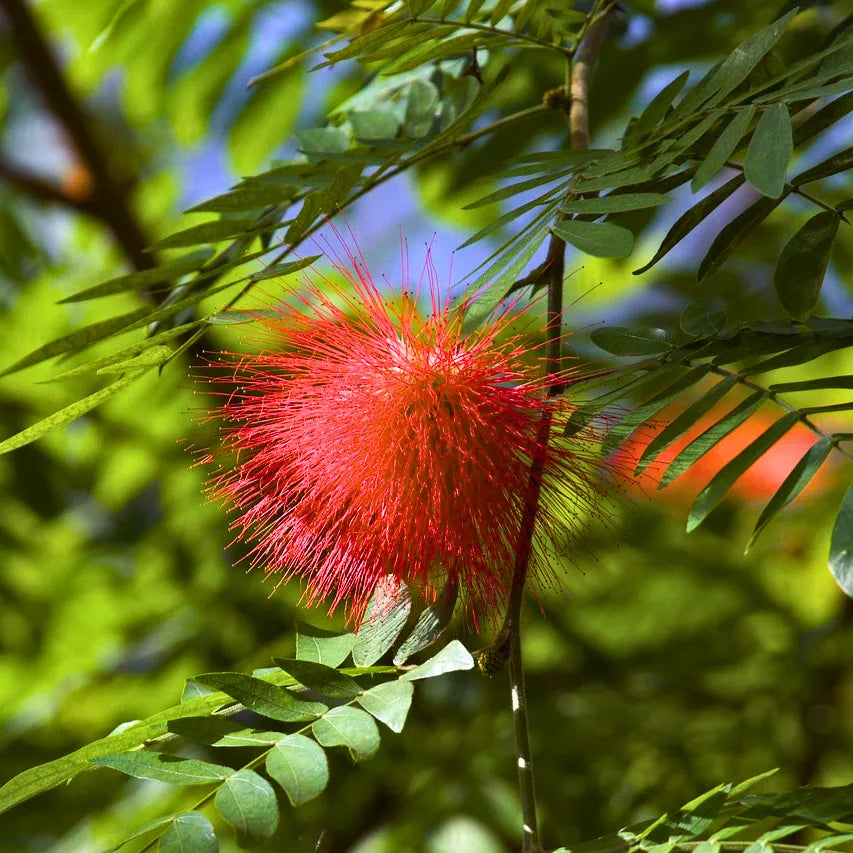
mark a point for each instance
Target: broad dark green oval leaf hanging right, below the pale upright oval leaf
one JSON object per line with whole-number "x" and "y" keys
{"x": 802, "y": 264}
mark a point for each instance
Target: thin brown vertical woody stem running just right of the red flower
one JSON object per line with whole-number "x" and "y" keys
{"x": 577, "y": 86}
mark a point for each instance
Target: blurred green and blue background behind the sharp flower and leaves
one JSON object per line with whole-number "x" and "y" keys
{"x": 666, "y": 664}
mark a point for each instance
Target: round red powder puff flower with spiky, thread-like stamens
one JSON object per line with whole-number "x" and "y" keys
{"x": 370, "y": 440}
